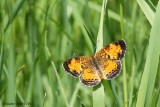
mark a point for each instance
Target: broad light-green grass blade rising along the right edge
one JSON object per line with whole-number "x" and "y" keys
{"x": 151, "y": 65}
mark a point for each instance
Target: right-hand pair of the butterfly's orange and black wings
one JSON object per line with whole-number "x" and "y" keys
{"x": 109, "y": 59}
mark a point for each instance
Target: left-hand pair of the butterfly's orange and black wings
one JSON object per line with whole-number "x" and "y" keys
{"x": 83, "y": 68}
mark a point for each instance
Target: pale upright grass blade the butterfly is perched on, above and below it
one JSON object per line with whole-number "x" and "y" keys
{"x": 98, "y": 91}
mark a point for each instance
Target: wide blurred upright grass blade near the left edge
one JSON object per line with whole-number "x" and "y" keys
{"x": 11, "y": 63}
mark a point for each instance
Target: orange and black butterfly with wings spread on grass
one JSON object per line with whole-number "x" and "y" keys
{"x": 105, "y": 64}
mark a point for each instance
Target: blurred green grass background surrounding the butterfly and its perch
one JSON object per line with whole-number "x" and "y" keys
{"x": 36, "y": 36}
